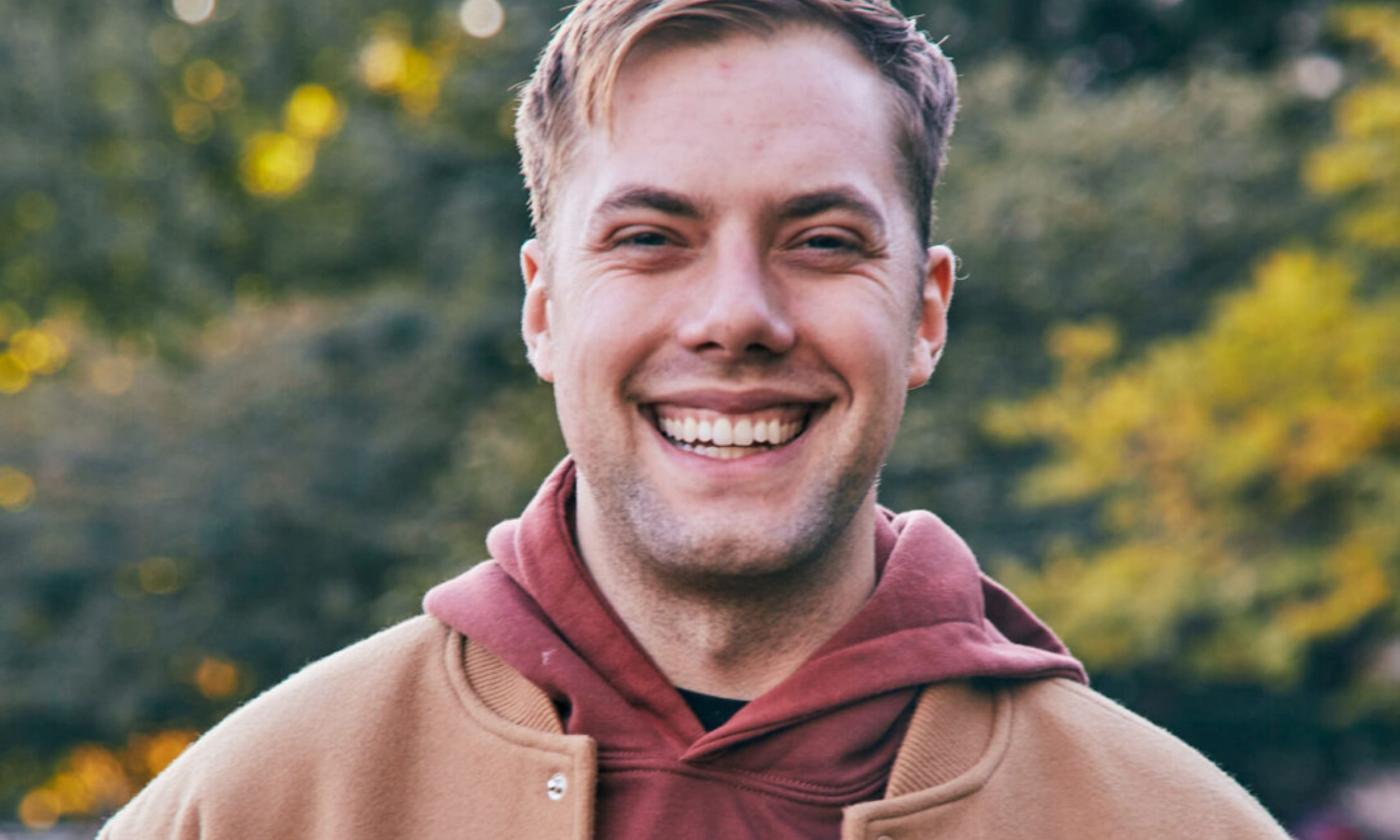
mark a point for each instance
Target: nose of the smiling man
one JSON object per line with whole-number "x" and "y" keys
{"x": 740, "y": 310}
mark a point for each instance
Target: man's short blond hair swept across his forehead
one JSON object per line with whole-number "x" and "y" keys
{"x": 573, "y": 83}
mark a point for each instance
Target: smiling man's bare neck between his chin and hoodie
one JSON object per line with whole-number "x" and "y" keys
{"x": 733, "y": 635}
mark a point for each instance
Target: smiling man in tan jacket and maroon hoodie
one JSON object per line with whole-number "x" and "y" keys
{"x": 705, "y": 626}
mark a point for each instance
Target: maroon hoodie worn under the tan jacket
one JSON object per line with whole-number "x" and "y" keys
{"x": 789, "y": 762}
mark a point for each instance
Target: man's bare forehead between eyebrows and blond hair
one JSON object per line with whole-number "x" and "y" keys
{"x": 744, "y": 121}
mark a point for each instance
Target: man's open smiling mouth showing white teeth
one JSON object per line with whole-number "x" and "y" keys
{"x": 731, "y": 436}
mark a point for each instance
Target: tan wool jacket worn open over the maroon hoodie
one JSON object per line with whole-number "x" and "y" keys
{"x": 418, "y": 734}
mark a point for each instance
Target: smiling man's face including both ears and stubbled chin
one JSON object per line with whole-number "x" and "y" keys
{"x": 730, "y": 304}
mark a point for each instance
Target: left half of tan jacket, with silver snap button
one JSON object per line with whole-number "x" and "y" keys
{"x": 393, "y": 737}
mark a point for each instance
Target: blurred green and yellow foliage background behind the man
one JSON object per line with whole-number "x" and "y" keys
{"x": 261, "y": 380}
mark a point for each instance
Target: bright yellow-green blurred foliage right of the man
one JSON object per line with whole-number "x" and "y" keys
{"x": 1241, "y": 475}
